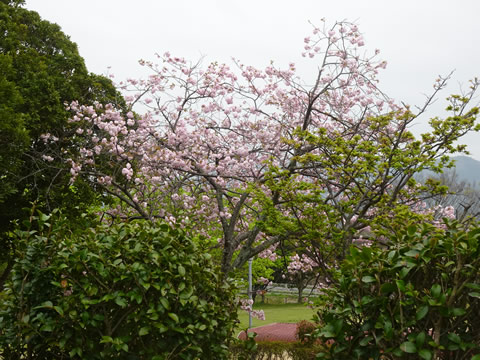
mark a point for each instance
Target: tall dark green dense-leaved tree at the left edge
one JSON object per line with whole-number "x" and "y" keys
{"x": 40, "y": 71}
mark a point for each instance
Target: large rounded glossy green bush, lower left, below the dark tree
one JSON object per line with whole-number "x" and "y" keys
{"x": 131, "y": 291}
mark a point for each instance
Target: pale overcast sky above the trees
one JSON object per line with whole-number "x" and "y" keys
{"x": 420, "y": 39}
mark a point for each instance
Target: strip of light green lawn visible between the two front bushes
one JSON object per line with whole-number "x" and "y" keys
{"x": 292, "y": 313}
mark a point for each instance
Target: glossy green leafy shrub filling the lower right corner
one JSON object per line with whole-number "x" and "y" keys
{"x": 418, "y": 299}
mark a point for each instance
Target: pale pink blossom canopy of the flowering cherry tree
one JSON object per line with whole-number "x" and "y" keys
{"x": 203, "y": 137}
